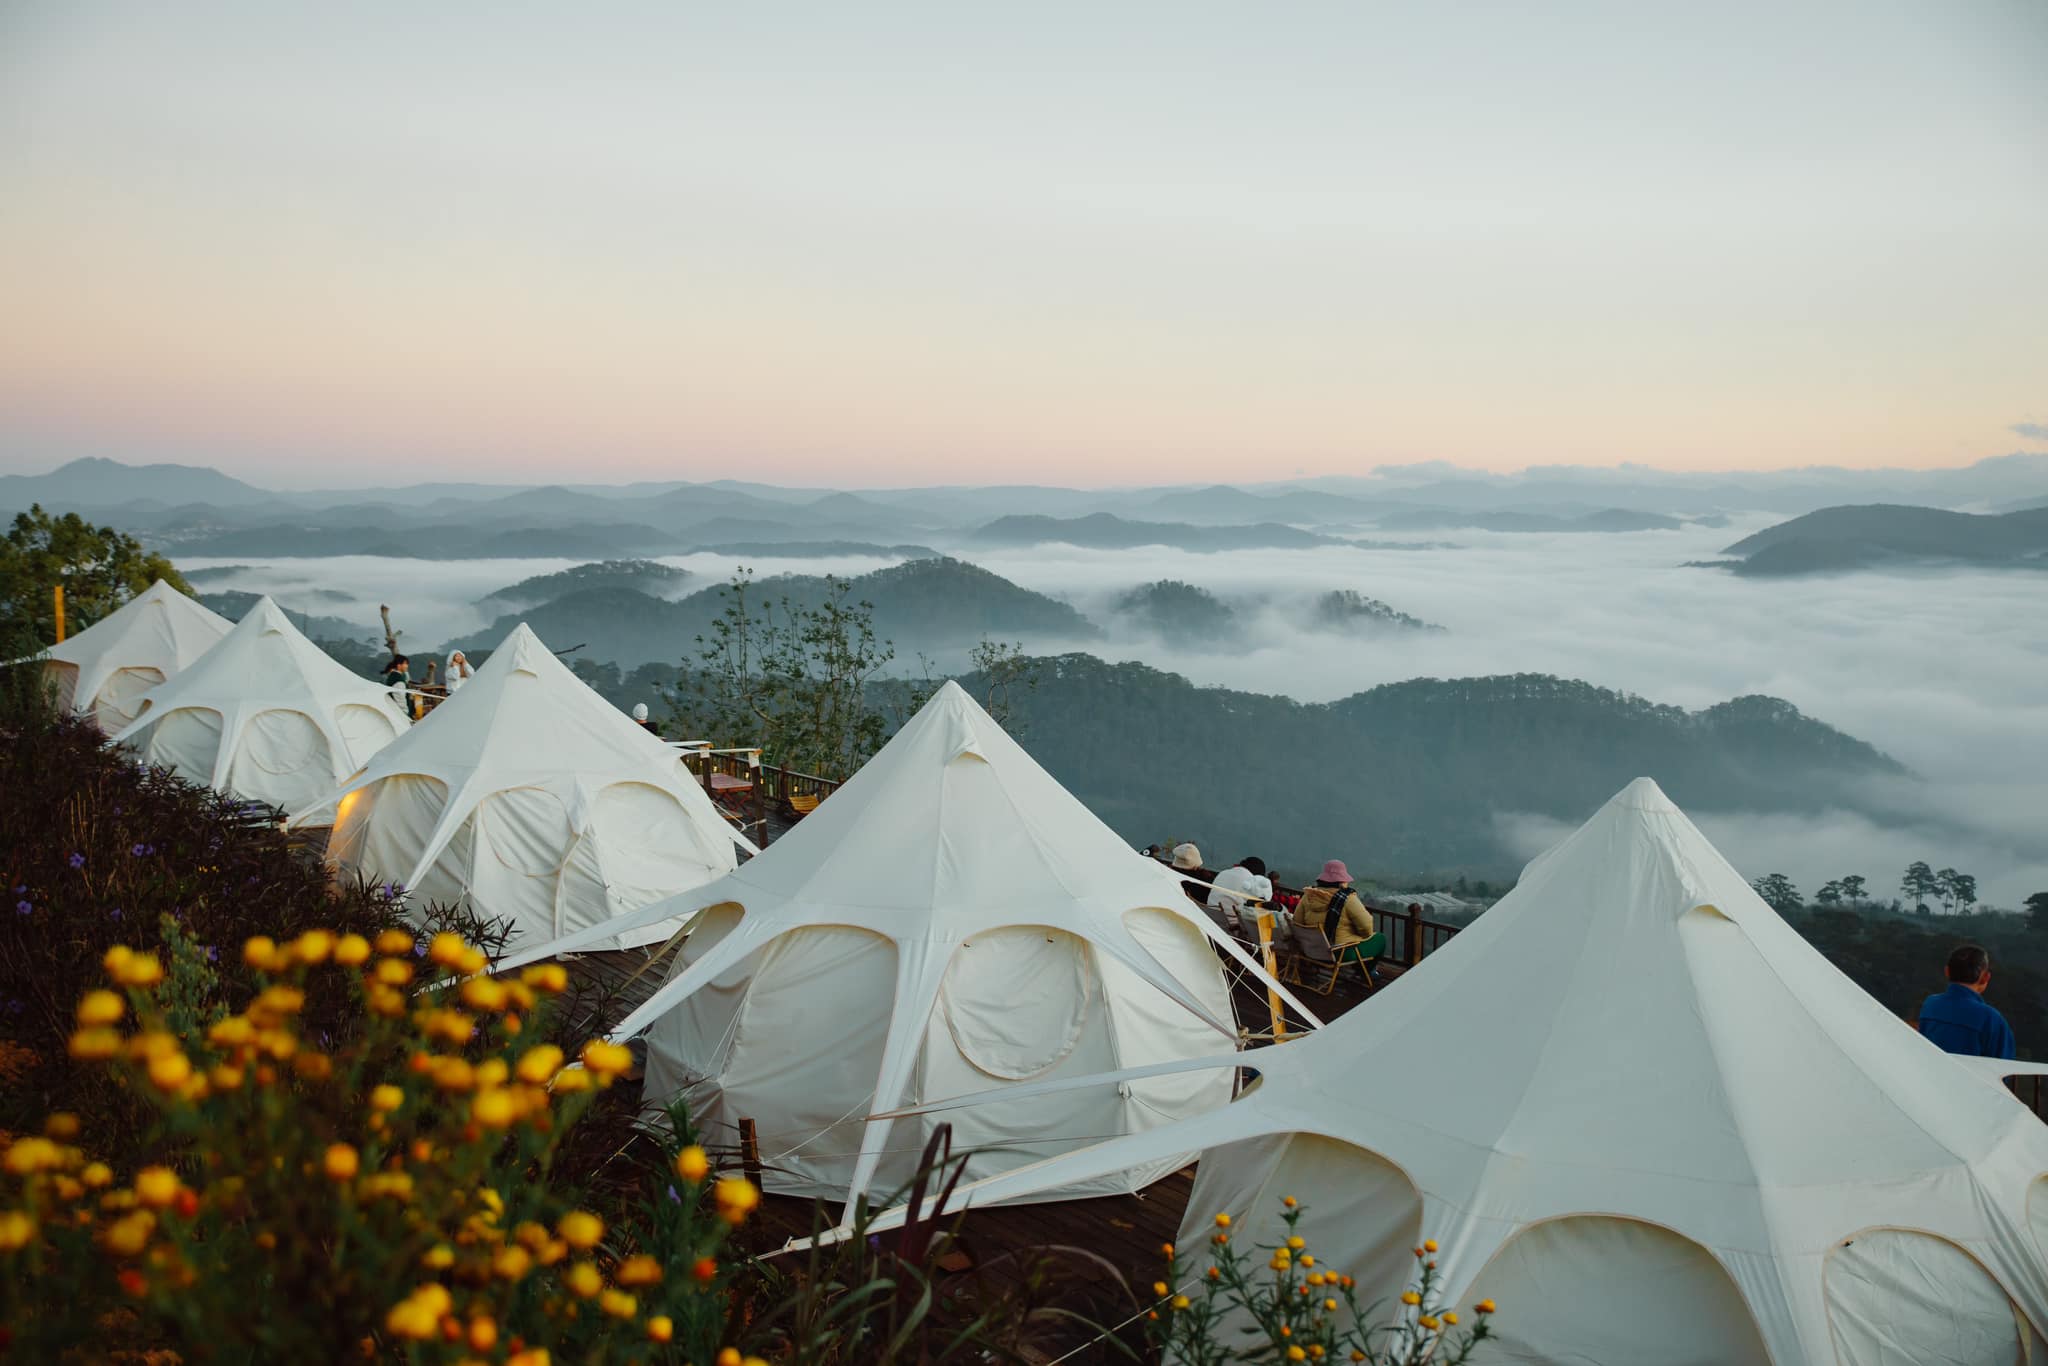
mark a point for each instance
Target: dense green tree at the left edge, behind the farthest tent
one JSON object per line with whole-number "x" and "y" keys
{"x": 99, "y": 568}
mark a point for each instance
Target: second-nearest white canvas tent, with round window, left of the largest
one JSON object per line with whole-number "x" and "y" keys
{"x": 947, "y": 923}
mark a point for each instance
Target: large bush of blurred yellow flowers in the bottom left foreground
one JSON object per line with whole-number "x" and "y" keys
{"x": 396, "y": 1197}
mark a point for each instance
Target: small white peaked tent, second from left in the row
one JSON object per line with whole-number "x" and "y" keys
{"x": 265, "y": 716}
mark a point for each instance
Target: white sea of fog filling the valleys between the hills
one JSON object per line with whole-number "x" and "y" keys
{"x": 1945, "y": 671}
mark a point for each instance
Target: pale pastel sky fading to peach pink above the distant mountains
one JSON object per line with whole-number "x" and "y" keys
{"x": 1054, "y": 243}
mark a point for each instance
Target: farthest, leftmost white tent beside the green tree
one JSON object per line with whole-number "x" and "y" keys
{"x": 108, "y": 669}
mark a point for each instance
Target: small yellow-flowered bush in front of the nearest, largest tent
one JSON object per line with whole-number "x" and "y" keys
{"x": 1304, "y": 1312}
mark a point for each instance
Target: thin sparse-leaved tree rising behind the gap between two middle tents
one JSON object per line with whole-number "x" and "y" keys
{"x": 792, "y": 679}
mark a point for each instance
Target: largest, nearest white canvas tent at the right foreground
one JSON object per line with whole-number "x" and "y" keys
{"x": 1650, "y": 1121}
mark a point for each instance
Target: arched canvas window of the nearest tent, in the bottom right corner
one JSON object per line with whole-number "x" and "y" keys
{"x": 1897, "y": 1297}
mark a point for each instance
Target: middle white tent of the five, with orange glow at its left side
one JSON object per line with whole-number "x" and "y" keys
{"x": 538, "y": 802}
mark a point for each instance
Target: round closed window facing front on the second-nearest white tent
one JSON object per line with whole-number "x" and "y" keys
{"x": 1017, "y": 1000}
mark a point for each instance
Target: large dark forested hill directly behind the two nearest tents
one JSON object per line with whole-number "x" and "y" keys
{"x": 1410, "y": 777}
